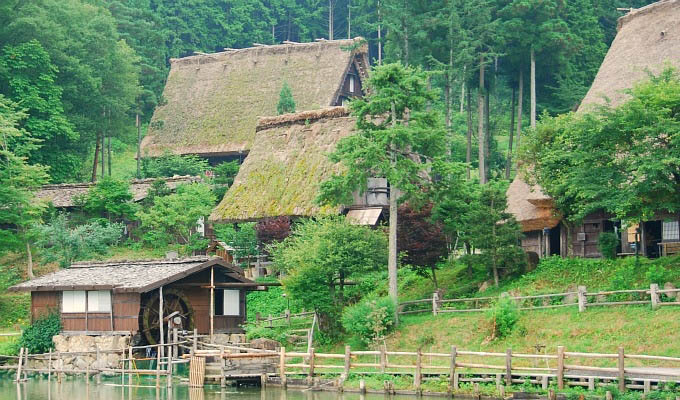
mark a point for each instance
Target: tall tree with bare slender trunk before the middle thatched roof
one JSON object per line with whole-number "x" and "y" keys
{"x": 397, "y": 138}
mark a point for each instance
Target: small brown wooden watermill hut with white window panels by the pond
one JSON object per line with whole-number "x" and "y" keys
{"x": 125, "y": 297}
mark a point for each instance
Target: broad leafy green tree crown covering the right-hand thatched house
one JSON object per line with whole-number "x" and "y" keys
{"x": 623, "y": 160}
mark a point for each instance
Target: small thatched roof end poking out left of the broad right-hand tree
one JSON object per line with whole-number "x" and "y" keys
{"x": 531, "y": 208}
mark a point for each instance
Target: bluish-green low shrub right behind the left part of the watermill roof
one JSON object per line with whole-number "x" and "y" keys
{"x": 60, "y": 242}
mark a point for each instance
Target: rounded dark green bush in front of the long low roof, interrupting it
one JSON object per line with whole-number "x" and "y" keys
{"x": 109, "y": 198}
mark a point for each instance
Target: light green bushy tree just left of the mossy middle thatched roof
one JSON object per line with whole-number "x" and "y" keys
{"x": 172, "y": 219}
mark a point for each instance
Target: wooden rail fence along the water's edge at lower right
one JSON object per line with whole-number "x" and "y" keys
{"x": 509, "y": 368}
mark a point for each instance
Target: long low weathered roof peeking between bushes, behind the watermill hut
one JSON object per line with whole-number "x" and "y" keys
{"x": 63, "y": 195}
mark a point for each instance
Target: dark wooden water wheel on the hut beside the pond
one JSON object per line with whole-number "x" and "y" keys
{"x": 173, "y": 300}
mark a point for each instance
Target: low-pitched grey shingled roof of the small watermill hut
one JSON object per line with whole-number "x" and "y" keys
{"x": 126, "y": 276}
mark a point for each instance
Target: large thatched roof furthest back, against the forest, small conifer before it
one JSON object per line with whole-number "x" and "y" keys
{"x": 214, "y": 101}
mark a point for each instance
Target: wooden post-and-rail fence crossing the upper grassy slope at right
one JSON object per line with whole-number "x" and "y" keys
{"x": 580, "y": 298}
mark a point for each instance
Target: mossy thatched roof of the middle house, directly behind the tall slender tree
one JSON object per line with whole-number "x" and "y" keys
{"x": 283, "y": 171}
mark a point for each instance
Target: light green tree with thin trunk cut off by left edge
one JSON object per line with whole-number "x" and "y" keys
{"x": 18, "y": 182}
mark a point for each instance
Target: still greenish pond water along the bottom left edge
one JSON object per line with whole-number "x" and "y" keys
{"x": 76, "y": 389}
